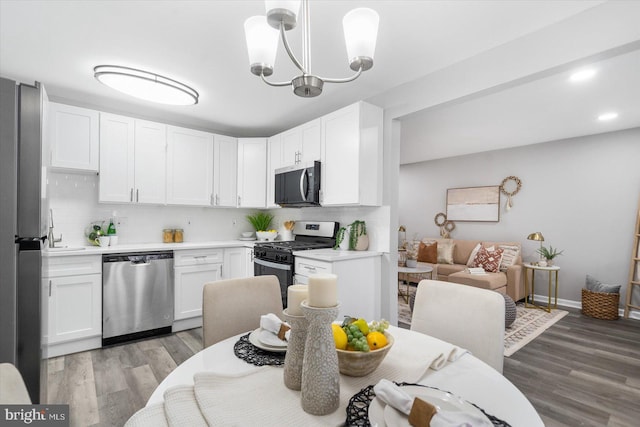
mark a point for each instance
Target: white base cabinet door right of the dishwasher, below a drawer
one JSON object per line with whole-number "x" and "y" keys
{"x": 189, "y": 282}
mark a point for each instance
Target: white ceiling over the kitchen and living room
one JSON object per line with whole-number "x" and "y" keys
{"x": 201, "y": 43}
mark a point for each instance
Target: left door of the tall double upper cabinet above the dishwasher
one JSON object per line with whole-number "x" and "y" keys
{"x": 116, "y": 158}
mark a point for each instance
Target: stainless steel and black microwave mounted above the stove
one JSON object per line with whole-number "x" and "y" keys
{"x": 298, "y": 185}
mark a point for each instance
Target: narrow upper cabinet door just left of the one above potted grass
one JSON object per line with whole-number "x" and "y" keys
{"x": 225, "y": 157}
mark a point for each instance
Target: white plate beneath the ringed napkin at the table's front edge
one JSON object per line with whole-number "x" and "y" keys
{"x": 382, "y": 416}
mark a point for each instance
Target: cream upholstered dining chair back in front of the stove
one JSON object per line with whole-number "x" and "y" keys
{"x": 233, "y": 306}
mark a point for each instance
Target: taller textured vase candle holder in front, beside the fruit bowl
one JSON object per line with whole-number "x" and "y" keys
{"x": 320, "y": 373}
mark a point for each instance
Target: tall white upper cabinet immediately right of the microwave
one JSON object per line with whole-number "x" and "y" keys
{"x": 352, "y": 156}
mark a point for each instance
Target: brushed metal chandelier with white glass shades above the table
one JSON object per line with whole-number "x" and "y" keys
{"x": 360, "y": 33}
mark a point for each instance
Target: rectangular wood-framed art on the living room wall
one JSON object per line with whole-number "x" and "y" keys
{"x": 474, "y": 204}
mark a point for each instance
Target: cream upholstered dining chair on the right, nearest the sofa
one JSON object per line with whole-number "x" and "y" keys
{"x": 469, "y": 317}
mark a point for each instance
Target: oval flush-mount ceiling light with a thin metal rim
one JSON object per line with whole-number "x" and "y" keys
{"x": 145, "y": 85}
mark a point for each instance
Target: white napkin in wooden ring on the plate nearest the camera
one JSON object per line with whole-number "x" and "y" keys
{"x": 393, "y": 395}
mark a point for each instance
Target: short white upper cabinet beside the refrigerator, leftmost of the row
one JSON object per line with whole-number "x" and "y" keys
{"x": 73, "y": 138}
